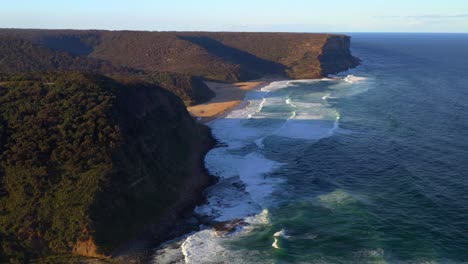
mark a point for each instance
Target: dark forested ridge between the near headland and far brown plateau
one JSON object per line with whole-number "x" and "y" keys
{"x": 21, "y": 57}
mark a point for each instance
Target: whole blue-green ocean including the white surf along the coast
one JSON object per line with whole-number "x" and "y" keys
{"x": 368, "y": 166}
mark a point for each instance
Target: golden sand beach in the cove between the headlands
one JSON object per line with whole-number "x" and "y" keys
{"x": 228, "y": 96}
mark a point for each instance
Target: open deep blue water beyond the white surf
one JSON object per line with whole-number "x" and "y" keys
{"x": 406, "y": 159}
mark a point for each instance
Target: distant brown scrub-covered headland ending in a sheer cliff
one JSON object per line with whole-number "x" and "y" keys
{"x": 218, "y": 56}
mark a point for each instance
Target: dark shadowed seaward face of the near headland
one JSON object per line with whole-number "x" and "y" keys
{"x": 158, "y": 168}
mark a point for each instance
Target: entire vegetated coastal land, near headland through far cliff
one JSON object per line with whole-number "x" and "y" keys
{"x": 96, "y": 144}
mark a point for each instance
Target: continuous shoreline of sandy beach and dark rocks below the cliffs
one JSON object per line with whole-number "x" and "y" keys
{"x": 143, "y": 248}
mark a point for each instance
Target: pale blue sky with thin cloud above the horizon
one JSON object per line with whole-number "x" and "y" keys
{"x": 239, "y": 15}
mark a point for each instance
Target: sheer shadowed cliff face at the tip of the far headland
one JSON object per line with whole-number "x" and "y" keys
{"x": 336, "y": 55}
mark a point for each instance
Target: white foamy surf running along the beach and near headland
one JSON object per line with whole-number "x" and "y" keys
{"x": 246, "y": 184}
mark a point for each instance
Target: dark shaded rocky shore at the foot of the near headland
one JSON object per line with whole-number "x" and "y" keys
{"x": 177, "y": 222}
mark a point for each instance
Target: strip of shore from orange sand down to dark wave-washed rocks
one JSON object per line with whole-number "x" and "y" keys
{"x": 229, "y": 97}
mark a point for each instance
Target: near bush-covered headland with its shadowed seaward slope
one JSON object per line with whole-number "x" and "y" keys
{"x": 88, "y": 162}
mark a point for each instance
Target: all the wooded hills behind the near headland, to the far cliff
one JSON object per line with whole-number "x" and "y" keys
{"x": 176, "y": 61}
